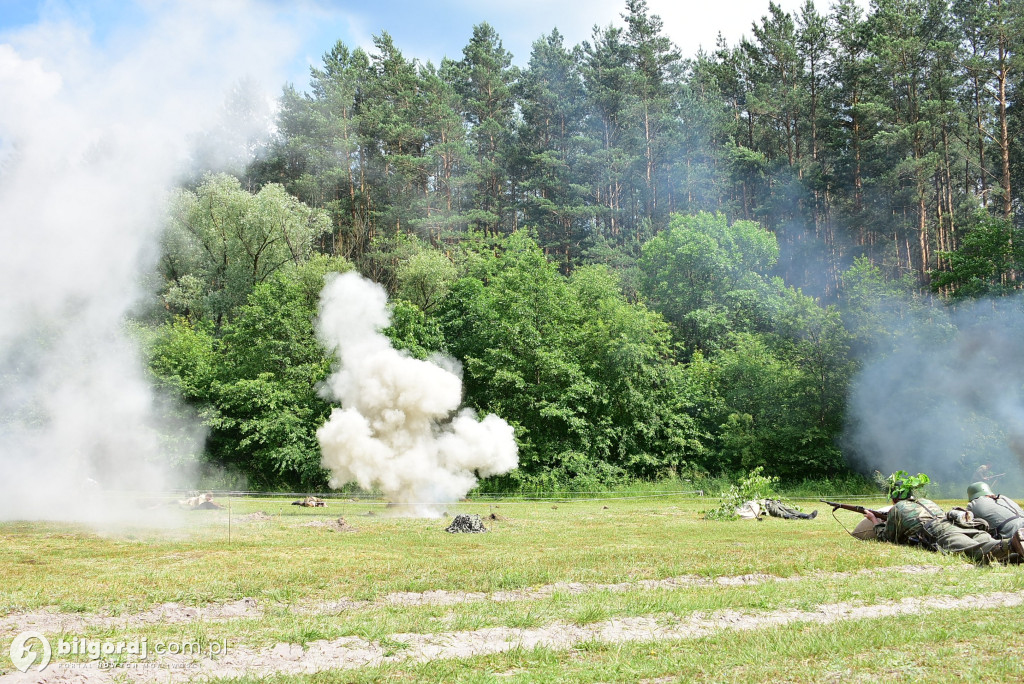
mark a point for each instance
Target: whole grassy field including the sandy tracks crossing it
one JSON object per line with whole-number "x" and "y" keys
{"x": 616, "y": 590}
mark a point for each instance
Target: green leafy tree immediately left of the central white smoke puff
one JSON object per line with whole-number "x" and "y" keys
{"x": 255, "y": 388}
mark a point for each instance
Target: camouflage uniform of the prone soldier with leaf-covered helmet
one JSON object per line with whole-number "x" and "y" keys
{"x": 922, "y": 523}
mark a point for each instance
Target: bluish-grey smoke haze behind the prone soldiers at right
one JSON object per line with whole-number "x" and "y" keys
{"x": 946, "y": 396}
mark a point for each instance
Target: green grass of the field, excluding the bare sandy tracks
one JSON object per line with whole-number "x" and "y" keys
{"x": 290, "y": 568}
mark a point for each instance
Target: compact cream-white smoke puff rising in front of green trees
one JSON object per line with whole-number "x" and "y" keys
{"x": 400, "y": 430}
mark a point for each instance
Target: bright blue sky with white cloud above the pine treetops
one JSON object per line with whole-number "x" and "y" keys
{"x": 423, "y": 30}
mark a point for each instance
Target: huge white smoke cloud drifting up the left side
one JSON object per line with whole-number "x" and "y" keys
{"x": 94, "y": 132}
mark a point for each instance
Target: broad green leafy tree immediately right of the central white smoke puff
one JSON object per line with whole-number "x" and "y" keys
{"x": 588, "y": 379}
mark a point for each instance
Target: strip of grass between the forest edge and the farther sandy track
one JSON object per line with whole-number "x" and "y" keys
{"x": 77, "y": 569}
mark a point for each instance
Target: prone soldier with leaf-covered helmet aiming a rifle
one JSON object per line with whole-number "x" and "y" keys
{"x": 922, "y": 523}
